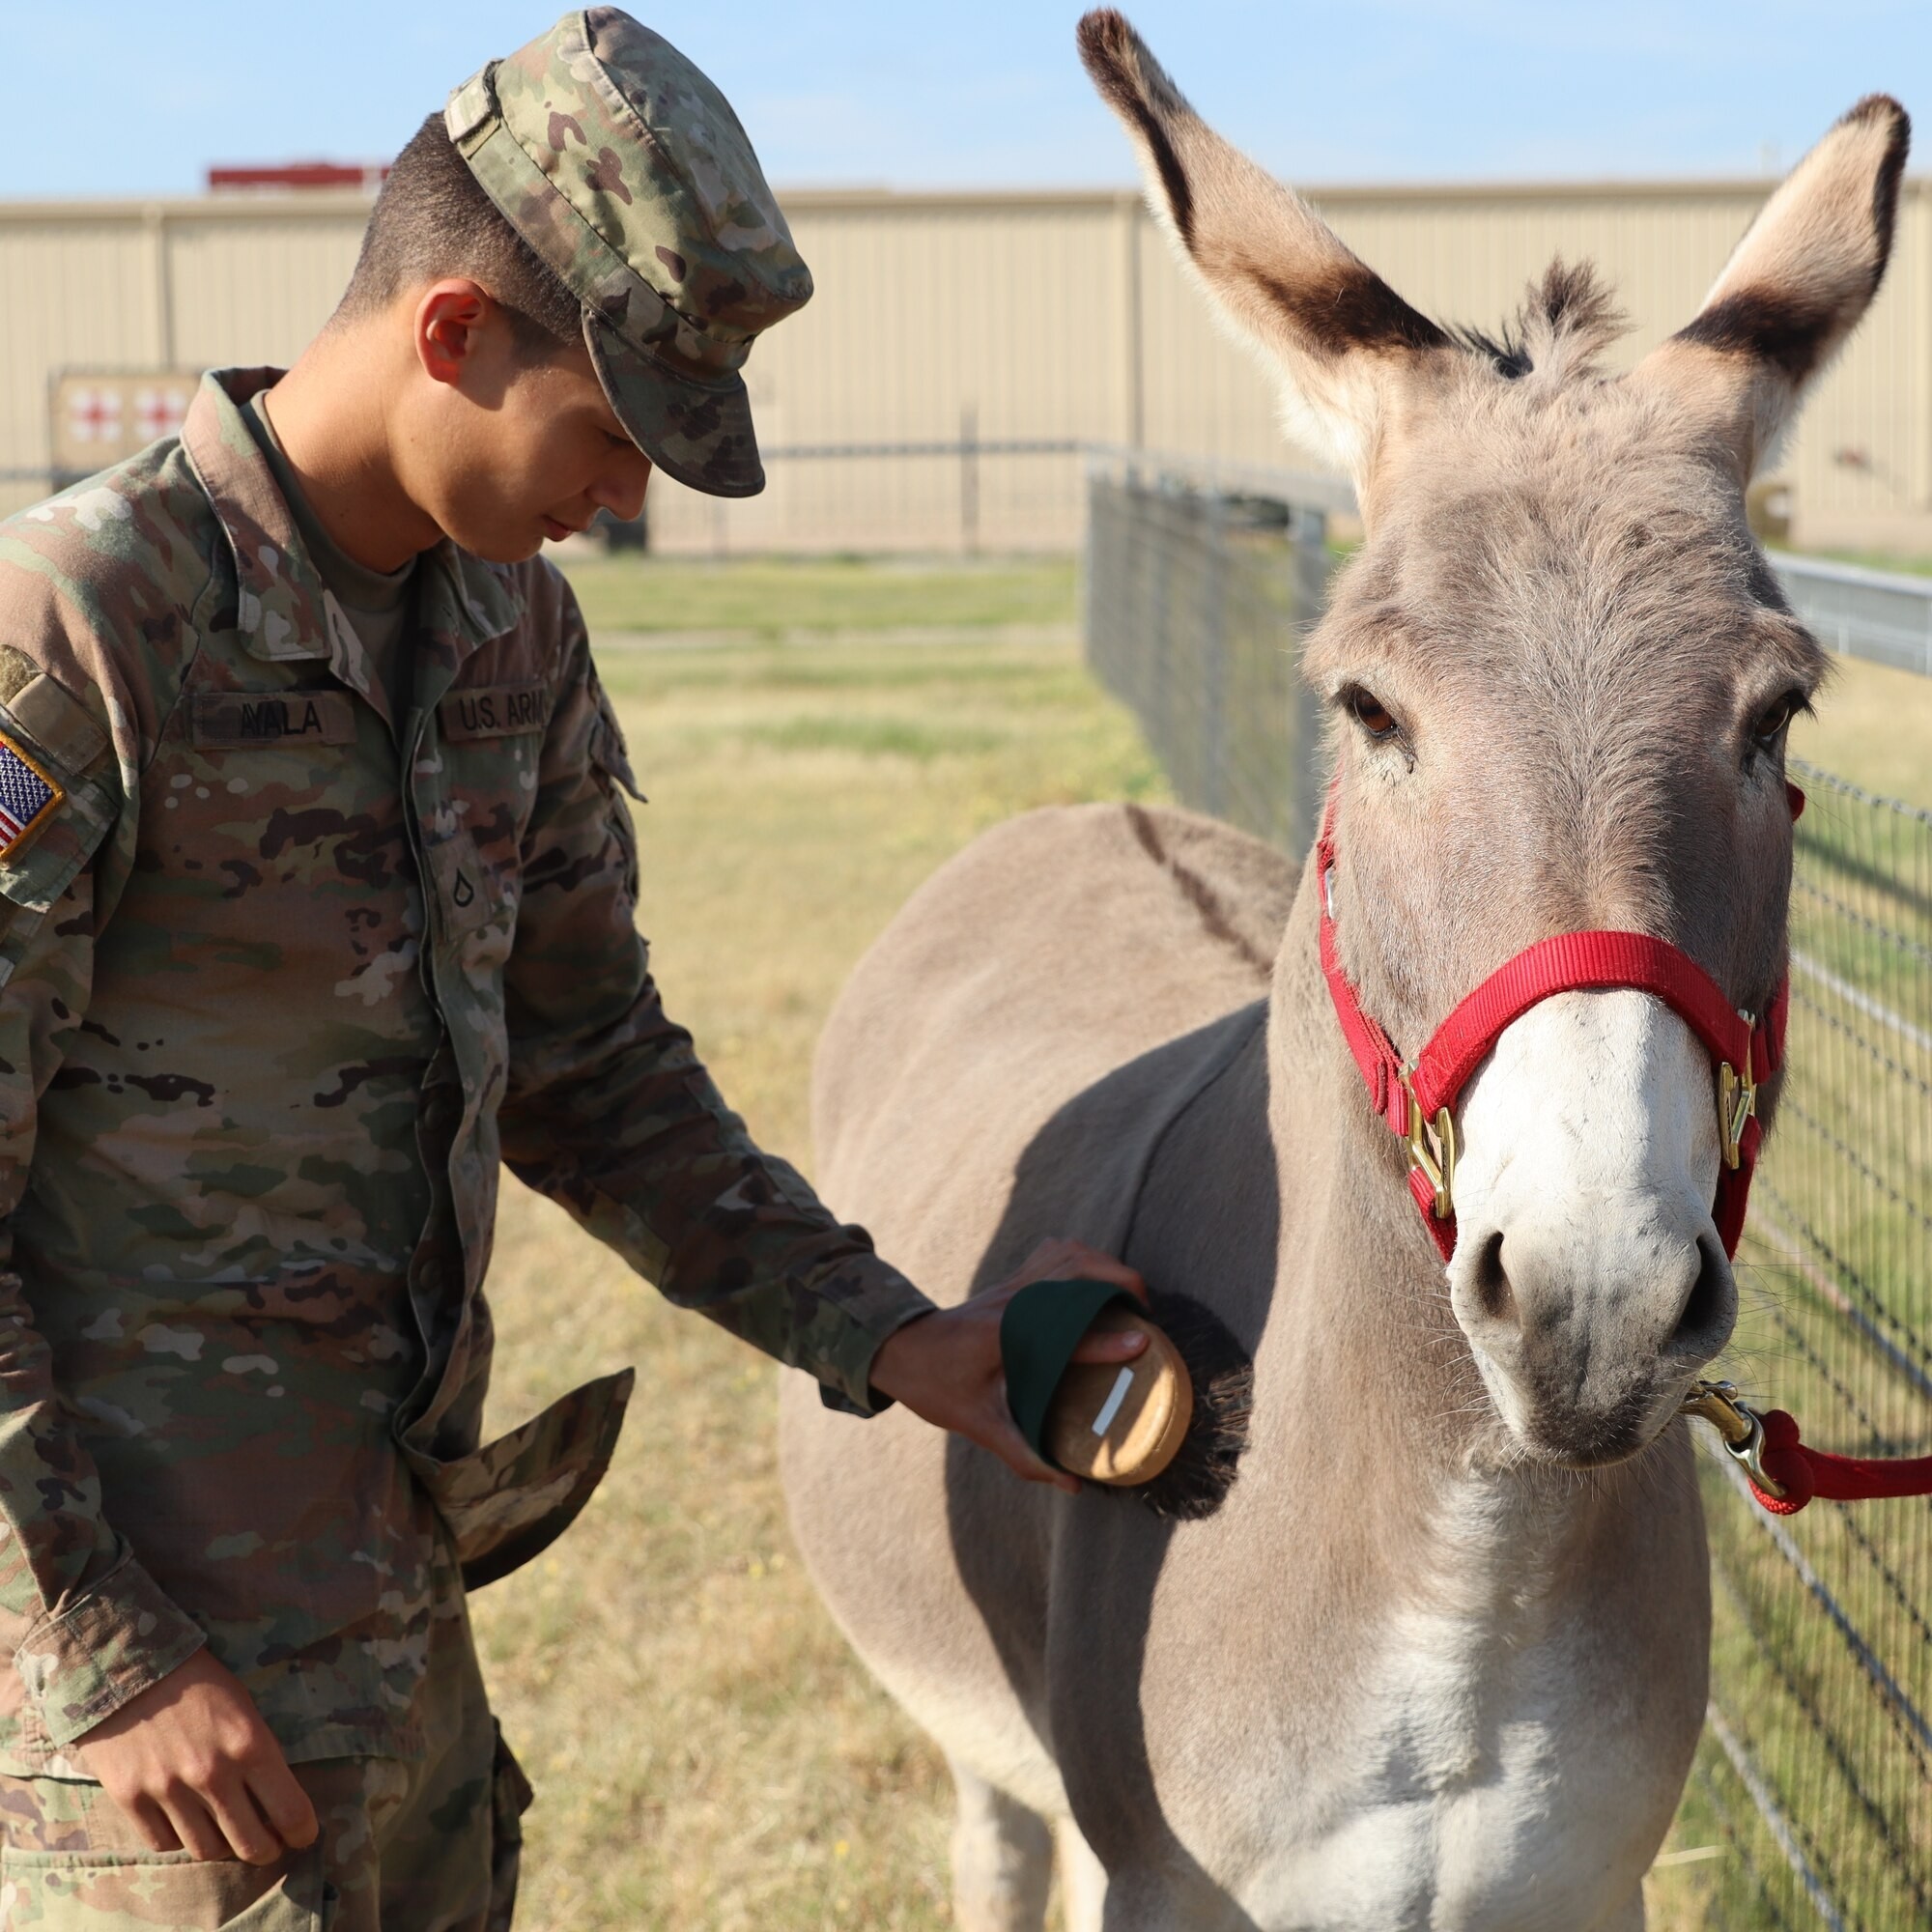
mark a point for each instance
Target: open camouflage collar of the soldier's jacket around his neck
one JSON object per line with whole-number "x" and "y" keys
{"x": 283, "y": 610}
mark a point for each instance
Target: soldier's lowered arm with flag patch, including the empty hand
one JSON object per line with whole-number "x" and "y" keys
{"x": 113, "y": 1670}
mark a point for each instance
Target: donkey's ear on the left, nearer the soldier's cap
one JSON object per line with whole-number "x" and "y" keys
{"x": 1334, "y": 329}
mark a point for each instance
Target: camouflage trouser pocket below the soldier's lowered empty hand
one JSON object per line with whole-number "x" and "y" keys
{"x": 159, "y": 1890}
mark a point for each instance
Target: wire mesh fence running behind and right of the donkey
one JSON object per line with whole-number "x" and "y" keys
{"x": 1811, "y": 1802}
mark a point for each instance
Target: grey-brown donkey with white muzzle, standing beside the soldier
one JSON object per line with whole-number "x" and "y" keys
{"x": 1438, "y": 1657}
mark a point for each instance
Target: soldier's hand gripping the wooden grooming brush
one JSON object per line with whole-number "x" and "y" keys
{"x": 946, "y": 1367}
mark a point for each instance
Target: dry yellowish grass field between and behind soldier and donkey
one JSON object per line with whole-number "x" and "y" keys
{"x": 816, "y": 739}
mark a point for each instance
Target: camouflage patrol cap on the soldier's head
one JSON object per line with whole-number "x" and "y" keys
{"x": 629, "y": 175}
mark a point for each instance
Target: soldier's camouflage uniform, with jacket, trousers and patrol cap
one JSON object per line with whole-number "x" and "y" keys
{"x": 283, "y": 980}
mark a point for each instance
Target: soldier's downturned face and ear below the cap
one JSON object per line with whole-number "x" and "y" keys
{"x": 505, "y": 451}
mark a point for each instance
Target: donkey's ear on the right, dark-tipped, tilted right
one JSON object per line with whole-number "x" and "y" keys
{"x": 1796, "y": 287}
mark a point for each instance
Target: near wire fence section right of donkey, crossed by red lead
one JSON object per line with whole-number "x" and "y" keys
{"x": 1819, "y": 1763}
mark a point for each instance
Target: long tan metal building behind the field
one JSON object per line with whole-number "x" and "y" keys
{"x": 980, "y": 320}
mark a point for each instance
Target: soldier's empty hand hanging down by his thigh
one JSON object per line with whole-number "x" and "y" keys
{"x": 198, "y": 1771}
